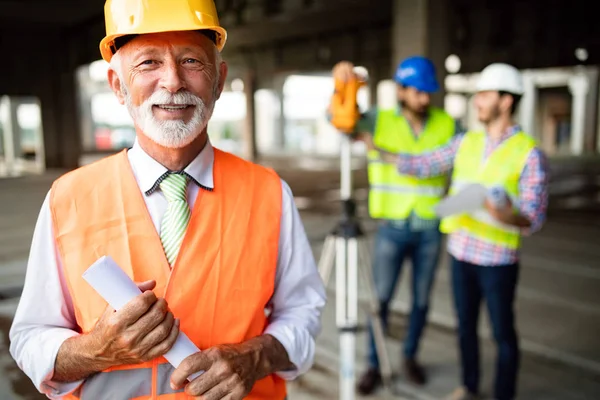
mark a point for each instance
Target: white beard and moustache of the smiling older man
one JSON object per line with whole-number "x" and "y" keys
{"x": 171, "y": 133}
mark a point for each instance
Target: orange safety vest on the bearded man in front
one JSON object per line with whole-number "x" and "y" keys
{"x": 219, "y": 285}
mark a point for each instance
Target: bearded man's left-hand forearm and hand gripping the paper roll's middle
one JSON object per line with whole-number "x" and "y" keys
{"x": 142, "y": 330}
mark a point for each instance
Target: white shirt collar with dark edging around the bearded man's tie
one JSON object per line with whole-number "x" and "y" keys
{"x": 150, "y": 173}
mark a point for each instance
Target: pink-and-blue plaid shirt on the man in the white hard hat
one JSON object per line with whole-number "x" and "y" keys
{"x": 532, "y": 202}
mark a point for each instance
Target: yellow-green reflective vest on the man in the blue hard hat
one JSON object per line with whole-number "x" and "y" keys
{"x": 394, "y": 196}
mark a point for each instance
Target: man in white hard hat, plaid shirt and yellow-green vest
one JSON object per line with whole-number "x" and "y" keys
{"x": 484, "y": 245}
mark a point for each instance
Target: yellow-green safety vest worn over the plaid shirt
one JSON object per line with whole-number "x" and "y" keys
{"x": 500, "y": 169}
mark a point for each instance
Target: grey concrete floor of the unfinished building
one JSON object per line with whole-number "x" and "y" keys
{"x": 557, "y": 299}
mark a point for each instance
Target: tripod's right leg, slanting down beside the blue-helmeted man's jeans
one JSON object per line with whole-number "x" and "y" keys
{"x": 377, "y": 325}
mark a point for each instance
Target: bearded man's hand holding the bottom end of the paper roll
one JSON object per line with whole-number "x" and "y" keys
{"x": 230, "y": 372}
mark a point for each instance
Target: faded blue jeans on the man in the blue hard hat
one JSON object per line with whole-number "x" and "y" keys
{"x": 392, "y": 245}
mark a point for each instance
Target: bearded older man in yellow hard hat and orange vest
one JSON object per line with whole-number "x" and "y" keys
{"x": 215, "y": 242}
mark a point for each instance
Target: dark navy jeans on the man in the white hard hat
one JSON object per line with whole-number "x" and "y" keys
{"x": 472, "y": 283}
